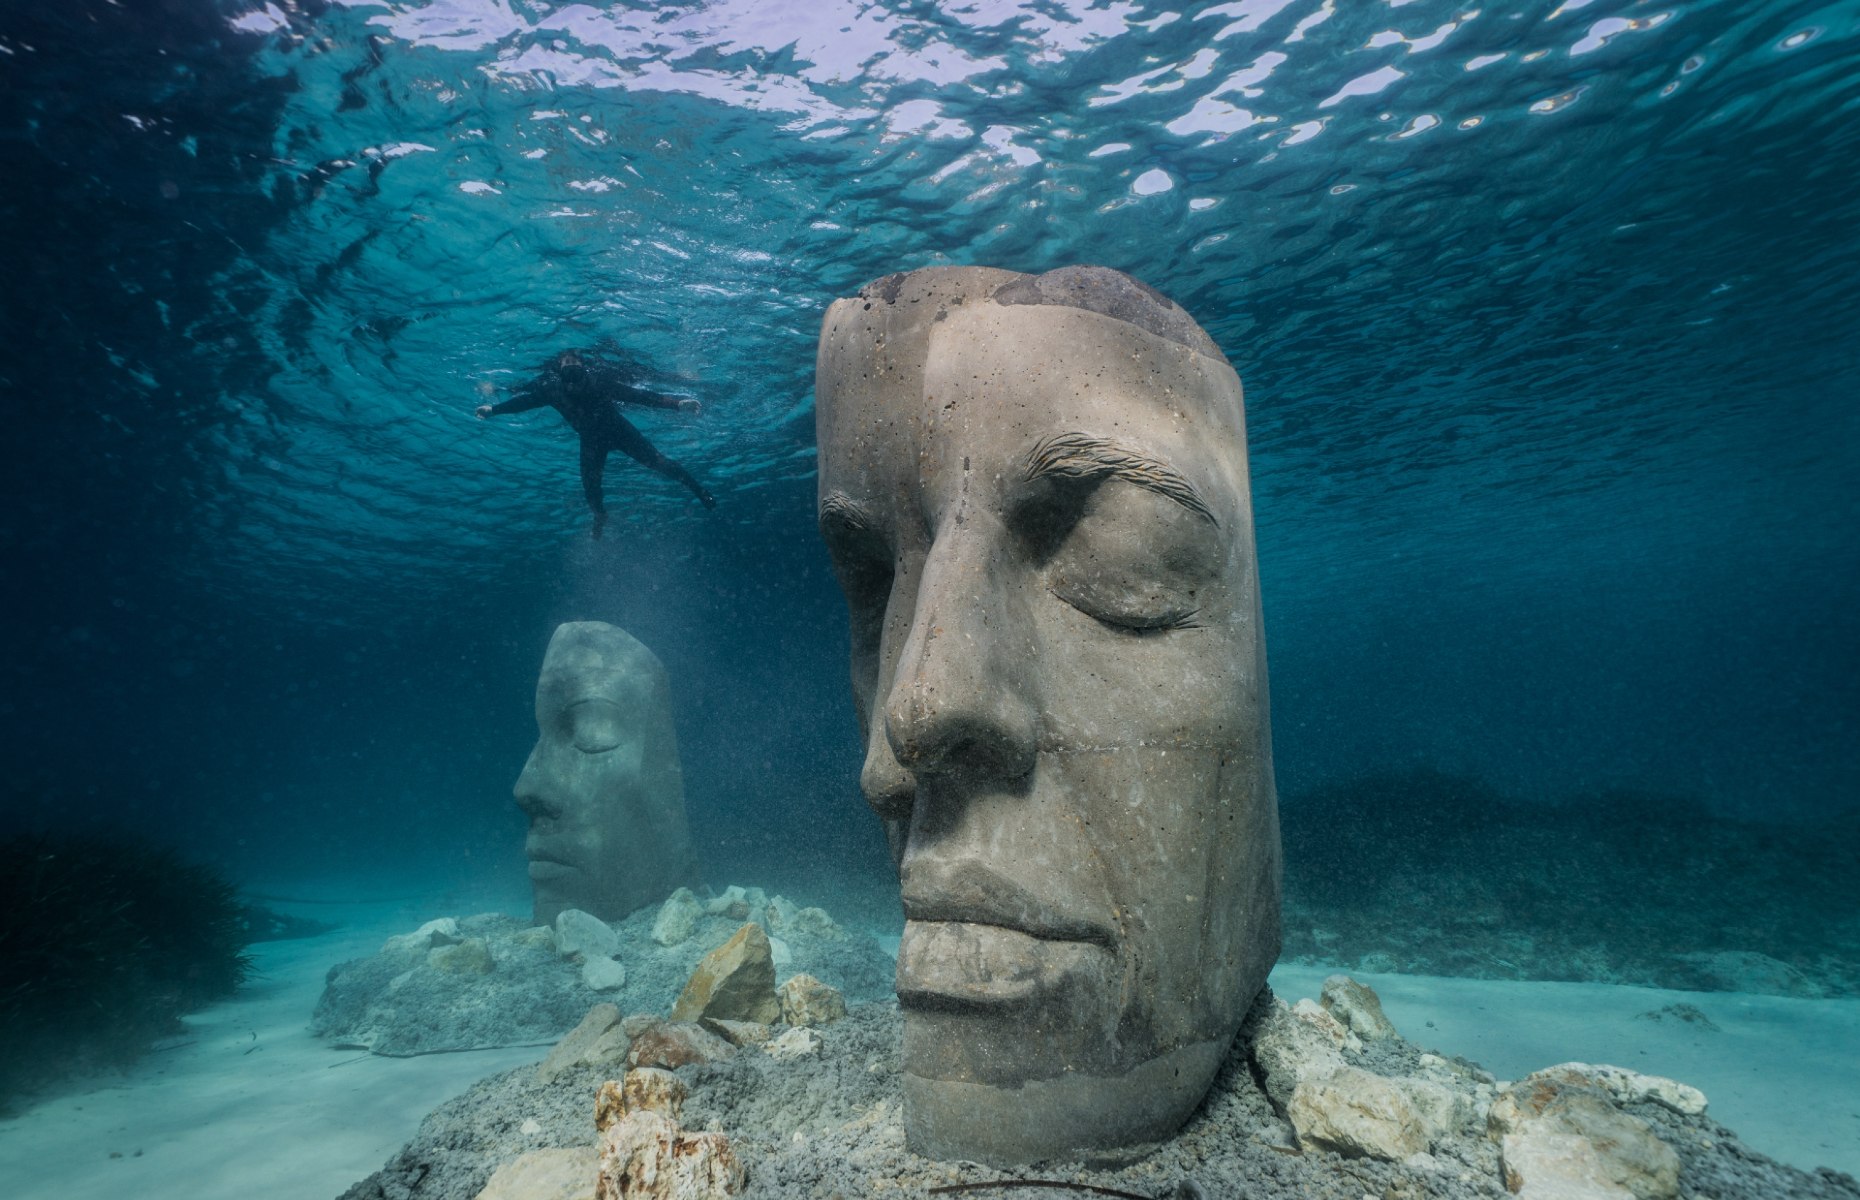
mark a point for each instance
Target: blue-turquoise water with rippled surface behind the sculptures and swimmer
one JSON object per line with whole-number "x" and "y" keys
{"x": 1545, "y": 315}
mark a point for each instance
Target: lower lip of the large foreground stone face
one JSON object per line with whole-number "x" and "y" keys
{"x": 955, "y": 967}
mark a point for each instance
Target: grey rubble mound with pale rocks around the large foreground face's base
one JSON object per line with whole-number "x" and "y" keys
{"x": 1320, "y": 1100}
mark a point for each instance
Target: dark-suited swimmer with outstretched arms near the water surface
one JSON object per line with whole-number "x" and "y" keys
{"x": 589, "y": 392}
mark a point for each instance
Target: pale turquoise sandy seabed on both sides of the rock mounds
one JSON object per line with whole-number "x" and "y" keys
{"x": 250, "y": 1104}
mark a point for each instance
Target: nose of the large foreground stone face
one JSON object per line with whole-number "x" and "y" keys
{"x": 959, "y": 695}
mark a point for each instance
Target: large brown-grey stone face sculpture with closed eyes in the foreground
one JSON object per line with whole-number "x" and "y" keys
{"x": 1035, "y": 494}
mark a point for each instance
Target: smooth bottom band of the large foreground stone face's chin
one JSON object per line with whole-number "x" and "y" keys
{"x": 1067, "y": 1117}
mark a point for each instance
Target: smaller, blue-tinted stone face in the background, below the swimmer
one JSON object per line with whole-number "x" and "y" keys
{"x": 604, "y": 786}
